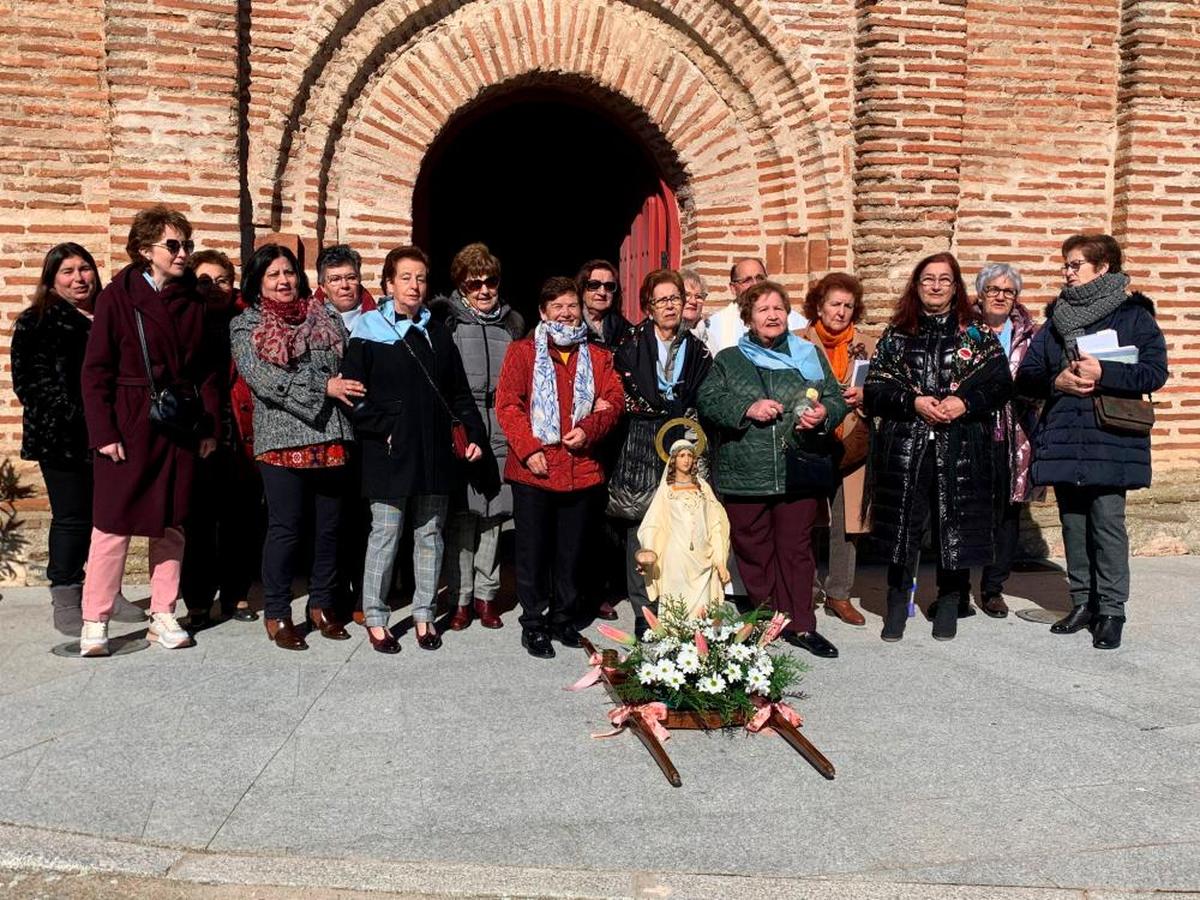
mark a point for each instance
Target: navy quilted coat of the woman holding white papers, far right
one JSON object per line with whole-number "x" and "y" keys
{"x": 1069, "y": 447}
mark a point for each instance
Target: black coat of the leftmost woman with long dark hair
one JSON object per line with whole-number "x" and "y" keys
{"x": 47, "y": 358}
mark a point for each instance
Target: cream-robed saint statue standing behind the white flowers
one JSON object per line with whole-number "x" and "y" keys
{"x": 686, "y": 536}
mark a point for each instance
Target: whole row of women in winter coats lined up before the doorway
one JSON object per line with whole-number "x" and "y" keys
{"x": 167, "y": 406}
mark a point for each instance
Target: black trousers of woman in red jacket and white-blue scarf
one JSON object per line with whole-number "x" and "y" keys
{"x": 550, "y": 532}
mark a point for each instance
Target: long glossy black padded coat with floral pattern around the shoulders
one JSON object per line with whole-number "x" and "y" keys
{"x": 940, "y": 361}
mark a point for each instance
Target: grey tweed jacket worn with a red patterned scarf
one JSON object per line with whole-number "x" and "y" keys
{"x": 291, "y": 407}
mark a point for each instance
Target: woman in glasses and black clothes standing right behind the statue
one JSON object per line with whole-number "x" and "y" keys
{"x": 662, "y": 368}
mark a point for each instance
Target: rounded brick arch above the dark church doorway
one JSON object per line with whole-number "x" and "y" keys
{"x": 713, "y": 98}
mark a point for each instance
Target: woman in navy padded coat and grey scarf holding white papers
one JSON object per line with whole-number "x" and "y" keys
{"x": 1090, "y": 461}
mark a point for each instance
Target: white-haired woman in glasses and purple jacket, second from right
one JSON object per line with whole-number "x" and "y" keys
{"x": 999, "y": 302}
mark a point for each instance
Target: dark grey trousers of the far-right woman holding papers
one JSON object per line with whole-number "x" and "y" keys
{"x": 1097, "y": 545}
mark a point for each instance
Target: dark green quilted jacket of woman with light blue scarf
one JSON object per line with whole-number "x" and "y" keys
{"x": 751, "y": 459}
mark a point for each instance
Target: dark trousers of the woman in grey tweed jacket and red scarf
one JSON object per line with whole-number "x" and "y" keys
{"x": 293, "y": 499}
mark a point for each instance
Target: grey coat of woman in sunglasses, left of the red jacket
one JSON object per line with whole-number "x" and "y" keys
{"x": 483, "y": 347}
